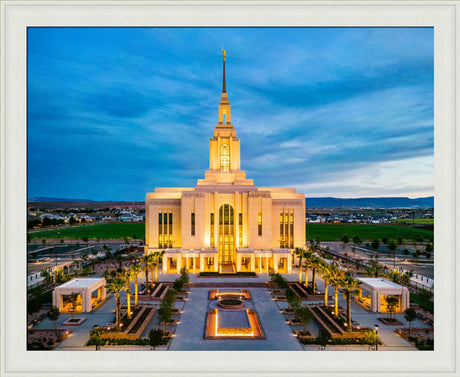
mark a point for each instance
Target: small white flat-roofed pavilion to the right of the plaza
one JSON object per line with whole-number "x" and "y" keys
{"x": 378, "y": 287}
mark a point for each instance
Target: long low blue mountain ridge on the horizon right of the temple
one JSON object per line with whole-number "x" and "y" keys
{"x": 396, "y": 202}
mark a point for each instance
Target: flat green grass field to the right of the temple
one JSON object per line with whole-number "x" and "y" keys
{"x": 367, "y": 232}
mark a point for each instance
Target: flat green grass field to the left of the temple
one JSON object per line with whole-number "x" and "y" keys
{"x": 94, "y": 231}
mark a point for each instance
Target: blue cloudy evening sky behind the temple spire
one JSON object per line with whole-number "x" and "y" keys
{"x": 344, "y": 112}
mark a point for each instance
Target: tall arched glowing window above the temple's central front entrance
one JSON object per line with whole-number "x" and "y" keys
{"x": 226, "y": 235}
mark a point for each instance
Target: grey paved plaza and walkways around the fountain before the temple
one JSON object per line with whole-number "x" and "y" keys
{"x": 189, "y": 333}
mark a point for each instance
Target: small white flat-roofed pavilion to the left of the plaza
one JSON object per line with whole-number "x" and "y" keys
{"x": 83, "y": 287}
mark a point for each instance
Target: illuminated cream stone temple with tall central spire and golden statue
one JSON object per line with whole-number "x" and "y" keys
{"x": 225, "y": 223}
